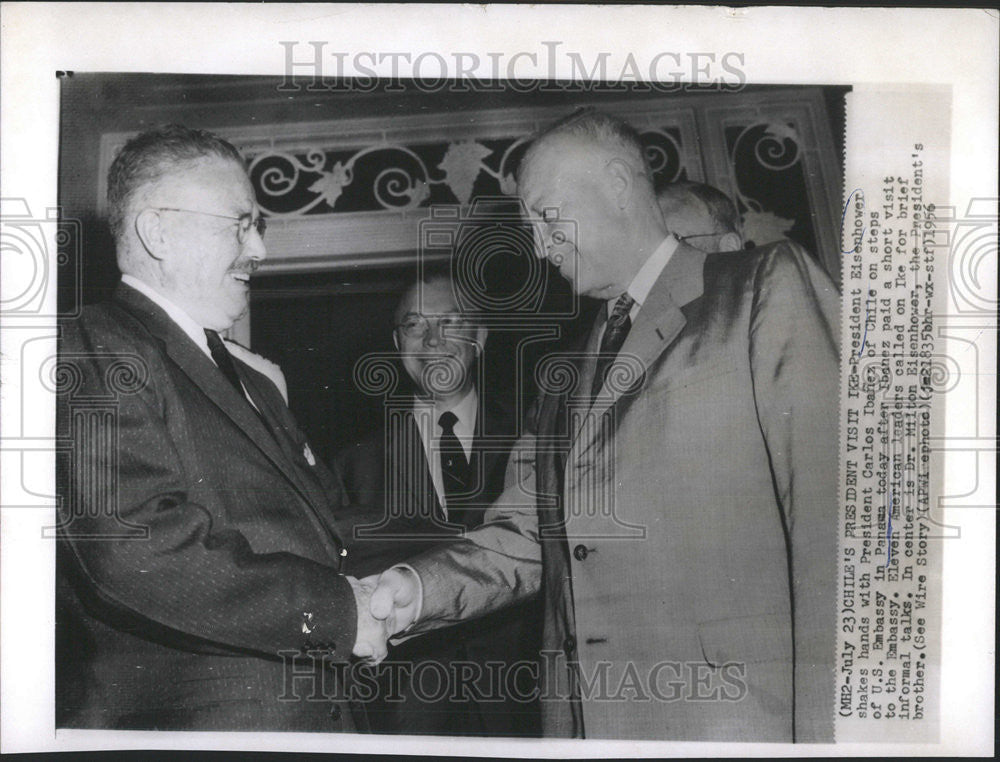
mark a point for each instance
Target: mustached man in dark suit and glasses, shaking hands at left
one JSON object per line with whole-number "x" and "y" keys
{"x": 200, "y": 571}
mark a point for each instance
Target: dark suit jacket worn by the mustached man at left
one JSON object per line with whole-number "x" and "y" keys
{"x": 197, "y": 543}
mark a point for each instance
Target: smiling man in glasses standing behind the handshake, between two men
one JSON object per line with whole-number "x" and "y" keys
{"x": 435, "y": 467}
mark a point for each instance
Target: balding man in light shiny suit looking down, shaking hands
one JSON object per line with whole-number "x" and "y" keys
{"x": 676, "y": 503}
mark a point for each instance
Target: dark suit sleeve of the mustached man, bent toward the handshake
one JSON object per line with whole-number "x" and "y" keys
{"x": 186, "y": 574}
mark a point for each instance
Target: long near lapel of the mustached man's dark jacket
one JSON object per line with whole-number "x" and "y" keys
{"x": 210, "y": 380}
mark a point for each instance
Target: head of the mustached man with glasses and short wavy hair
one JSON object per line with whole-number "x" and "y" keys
{"x": 185, "y": 221}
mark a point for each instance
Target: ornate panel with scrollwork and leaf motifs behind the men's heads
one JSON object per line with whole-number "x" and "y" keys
{"x": 349, "y": 192}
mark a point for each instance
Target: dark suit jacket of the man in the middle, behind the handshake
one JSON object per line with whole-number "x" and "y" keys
{"x": 389, "y": 469}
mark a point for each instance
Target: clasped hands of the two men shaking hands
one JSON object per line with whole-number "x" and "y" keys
{"x": 387, "y": 604}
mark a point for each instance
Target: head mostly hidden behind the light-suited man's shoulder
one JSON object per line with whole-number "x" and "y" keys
{"x": 702, "y": 215}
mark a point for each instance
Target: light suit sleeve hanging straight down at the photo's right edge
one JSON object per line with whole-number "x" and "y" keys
{"x": 793, "y": 356}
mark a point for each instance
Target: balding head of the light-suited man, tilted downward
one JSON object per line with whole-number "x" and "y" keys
{"x": 587, "y": 182}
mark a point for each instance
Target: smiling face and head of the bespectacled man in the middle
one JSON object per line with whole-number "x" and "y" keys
{"x": 437, "y": 343}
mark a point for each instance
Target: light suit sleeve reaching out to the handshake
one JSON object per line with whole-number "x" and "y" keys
{"x": 493, "y": 566}
